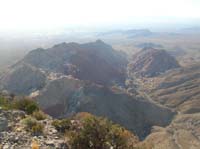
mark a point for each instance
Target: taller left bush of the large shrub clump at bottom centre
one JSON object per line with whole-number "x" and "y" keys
{"x": 91, "y": 136}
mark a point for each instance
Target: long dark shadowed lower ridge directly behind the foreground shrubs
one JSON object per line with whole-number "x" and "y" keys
{"x": 67, "y": 96}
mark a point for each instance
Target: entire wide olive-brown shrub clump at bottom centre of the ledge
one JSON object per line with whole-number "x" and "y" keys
{"x": 100, "y": 133}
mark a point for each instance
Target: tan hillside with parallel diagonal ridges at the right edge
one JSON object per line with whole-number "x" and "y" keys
{"x": 178, "y": 89}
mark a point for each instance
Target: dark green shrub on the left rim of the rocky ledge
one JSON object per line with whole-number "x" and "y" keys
{"x": 27, "y": 105}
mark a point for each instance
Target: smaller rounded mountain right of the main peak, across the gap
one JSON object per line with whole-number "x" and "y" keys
{"x": 151, "y": 62}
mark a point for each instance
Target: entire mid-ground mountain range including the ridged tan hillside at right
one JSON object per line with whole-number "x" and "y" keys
{"x": 144, "y": 92}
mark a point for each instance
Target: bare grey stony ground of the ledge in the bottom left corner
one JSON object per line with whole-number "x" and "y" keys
{"x": 13, "y": 134}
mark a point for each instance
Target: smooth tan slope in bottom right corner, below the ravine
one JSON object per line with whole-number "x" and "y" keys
{"x": 182, "y": 133}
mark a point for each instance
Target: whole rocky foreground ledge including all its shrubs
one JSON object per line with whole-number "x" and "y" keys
{"x": 81, "y": 131}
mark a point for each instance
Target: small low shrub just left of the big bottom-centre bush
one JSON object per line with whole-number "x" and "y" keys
{"x": 62, "y": 125}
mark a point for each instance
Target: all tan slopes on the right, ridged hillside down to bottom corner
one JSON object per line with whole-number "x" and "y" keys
{"x": 179, "y": 90}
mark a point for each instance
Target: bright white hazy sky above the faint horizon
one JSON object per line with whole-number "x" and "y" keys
{"x": 42, "y": 14}
